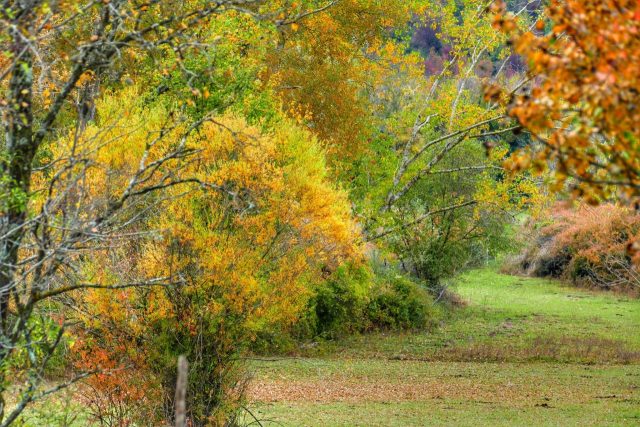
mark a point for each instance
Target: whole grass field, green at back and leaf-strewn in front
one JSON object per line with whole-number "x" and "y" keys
{"x": 523, "y": 352}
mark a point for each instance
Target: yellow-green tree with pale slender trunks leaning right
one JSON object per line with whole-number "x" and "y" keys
{"x": 436, "y": 189}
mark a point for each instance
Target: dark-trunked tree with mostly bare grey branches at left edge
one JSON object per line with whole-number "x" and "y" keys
{"x": 56, "y": 58}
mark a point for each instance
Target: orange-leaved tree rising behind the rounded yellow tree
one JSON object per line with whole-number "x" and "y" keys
{"x": 326, "y": 69}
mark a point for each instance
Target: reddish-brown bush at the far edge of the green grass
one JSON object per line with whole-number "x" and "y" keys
{"x": 586, "y": 246}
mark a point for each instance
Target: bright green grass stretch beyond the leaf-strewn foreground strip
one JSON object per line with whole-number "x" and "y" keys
{"x": 511, "y": 319}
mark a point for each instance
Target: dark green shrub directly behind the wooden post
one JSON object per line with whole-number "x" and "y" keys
{"x": 216, "y": 381}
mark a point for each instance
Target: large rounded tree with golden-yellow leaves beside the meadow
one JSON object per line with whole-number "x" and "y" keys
{"x": 242, "y": 249}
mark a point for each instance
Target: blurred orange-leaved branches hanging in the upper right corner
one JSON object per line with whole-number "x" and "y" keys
{"x": 581, "y": 103}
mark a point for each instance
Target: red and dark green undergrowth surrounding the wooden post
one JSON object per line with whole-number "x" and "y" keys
{"x": 137, "y": 386}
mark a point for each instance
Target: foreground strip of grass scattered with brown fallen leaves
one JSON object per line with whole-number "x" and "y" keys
{"x": 377, "y": 392}
